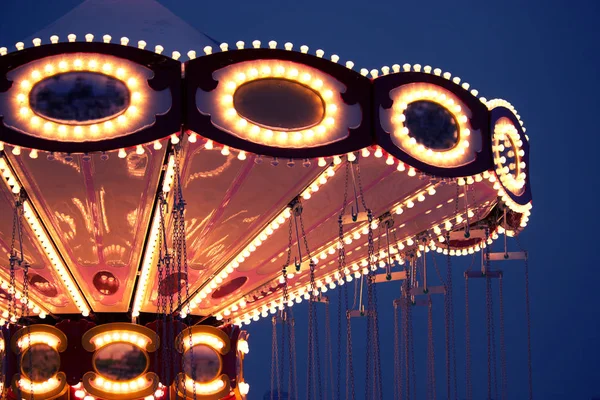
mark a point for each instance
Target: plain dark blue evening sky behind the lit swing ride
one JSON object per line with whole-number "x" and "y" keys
{"x": 542, "y": 56}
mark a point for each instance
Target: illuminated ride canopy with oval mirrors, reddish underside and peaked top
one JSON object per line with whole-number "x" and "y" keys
{"x": 91, "y": 124}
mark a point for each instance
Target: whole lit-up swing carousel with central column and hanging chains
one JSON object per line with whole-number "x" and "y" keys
{"x": 153, "y": 204}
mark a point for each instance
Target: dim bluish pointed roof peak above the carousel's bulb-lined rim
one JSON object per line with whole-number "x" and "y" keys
{"x": 145, "y": 20}
